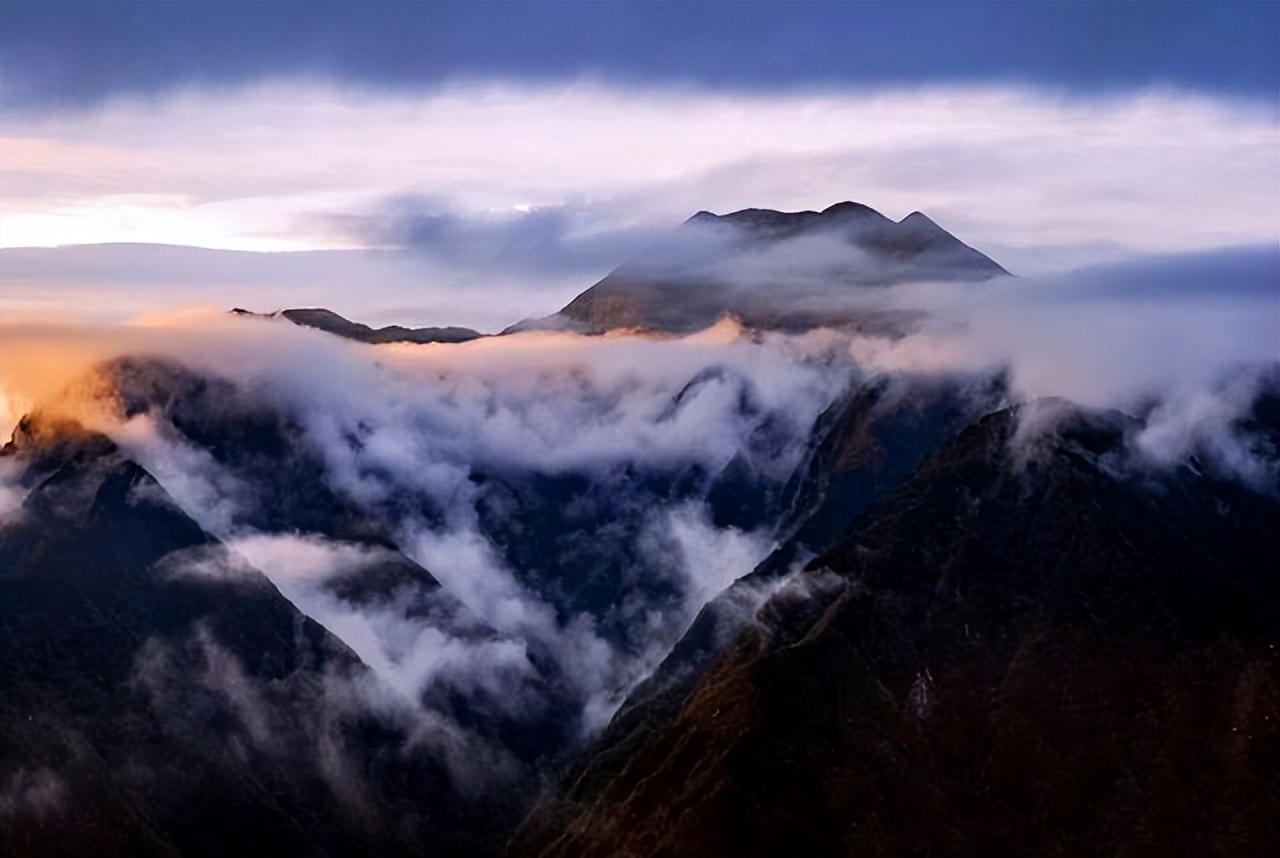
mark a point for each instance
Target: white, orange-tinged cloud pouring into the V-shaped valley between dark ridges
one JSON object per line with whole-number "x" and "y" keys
{"x": 429, "y": 418}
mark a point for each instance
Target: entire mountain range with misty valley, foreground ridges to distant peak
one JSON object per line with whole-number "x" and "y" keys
{"x": 705, "y": 587}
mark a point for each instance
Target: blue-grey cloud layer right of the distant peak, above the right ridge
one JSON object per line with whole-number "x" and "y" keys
{"x": 1103, "y": 337}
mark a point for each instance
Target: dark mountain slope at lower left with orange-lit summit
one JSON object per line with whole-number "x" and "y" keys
{"x": 163, "y": 699}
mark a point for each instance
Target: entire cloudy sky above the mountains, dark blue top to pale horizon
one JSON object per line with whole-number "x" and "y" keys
{"x": 478, "y": 163}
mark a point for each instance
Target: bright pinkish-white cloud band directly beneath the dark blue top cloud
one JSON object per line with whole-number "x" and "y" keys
{"x": 1012, "y": 167}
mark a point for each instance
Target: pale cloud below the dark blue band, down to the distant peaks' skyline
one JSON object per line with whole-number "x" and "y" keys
{"x": 492, "y": 190}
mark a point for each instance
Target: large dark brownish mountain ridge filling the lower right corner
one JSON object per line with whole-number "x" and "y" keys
{"x": 1002, "y": 658}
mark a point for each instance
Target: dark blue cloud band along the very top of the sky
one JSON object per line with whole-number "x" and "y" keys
{"x": 77, "y": 54}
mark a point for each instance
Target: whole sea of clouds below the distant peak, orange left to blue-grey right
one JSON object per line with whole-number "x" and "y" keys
{"x": 417, "y": 437}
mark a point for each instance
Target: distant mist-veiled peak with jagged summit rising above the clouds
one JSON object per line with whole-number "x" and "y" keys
{"x": 776, "y": 271}
